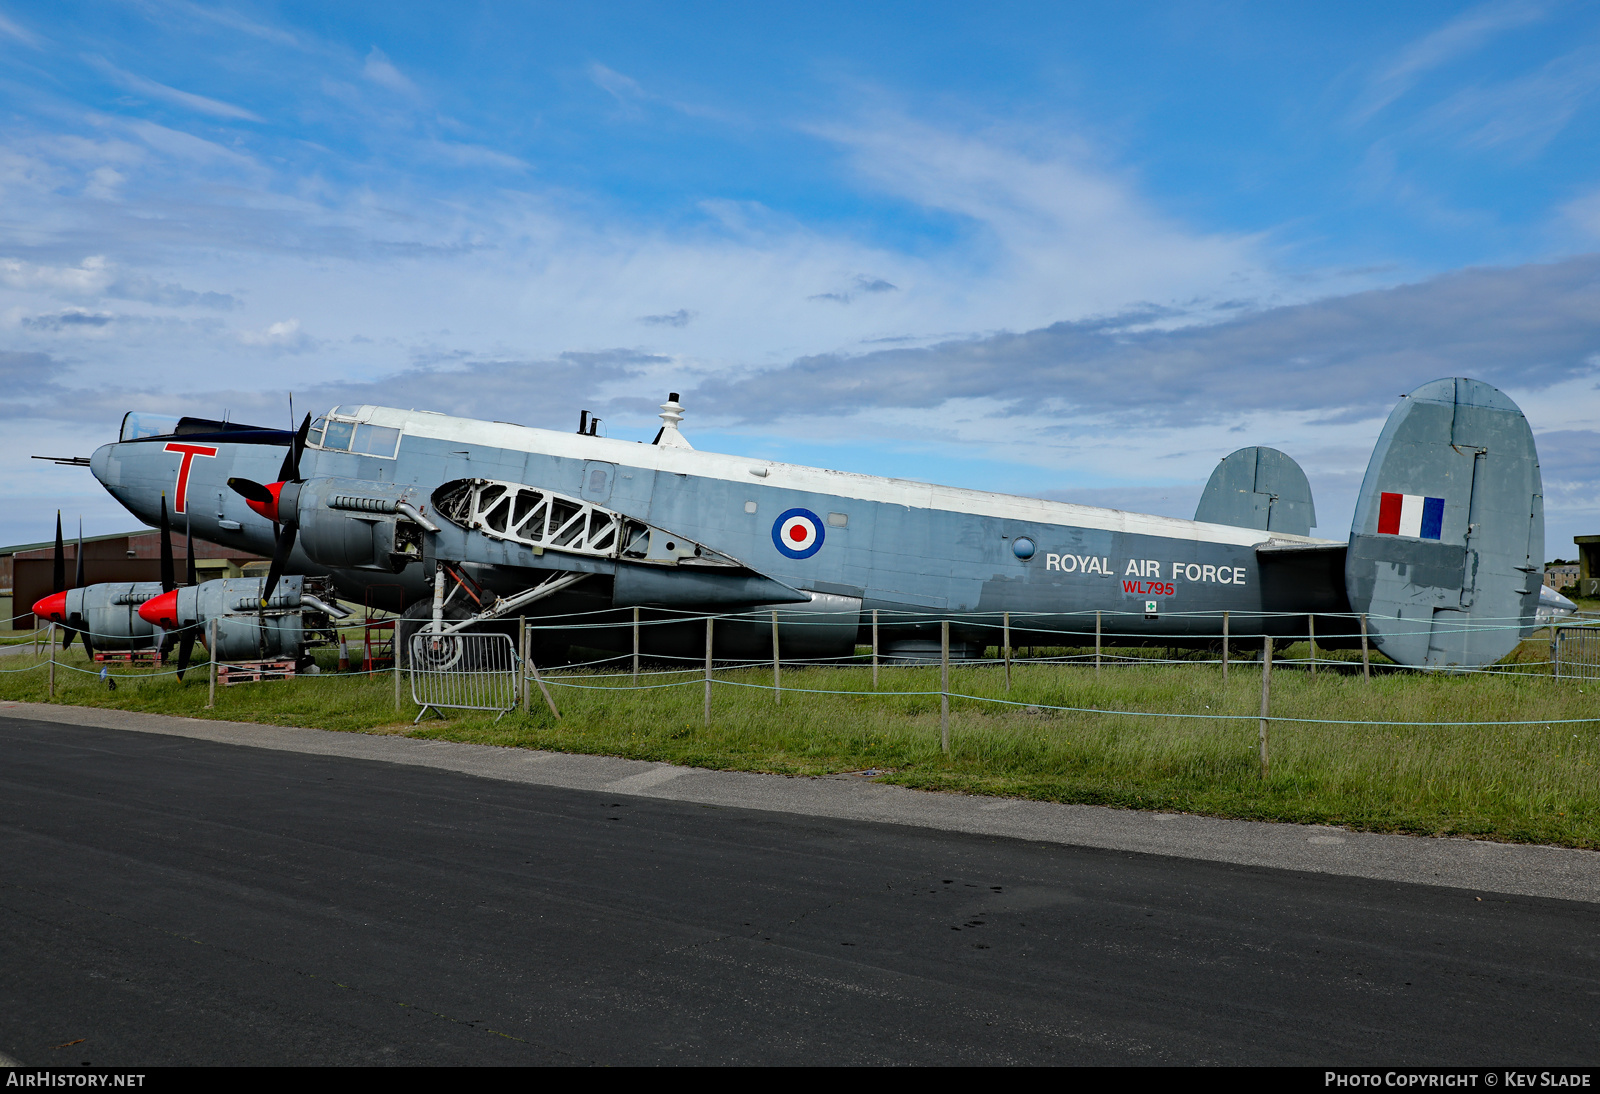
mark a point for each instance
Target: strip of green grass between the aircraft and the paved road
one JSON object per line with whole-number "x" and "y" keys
{"x": 1535, "y": 783}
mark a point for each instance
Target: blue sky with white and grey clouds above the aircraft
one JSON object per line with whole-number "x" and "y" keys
{"x": 1063, "y": 250}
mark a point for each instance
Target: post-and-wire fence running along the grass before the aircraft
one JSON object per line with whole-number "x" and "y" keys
{"x": 471, "y": 671}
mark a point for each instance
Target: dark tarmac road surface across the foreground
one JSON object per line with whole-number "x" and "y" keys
{"x": 167, "y": 900}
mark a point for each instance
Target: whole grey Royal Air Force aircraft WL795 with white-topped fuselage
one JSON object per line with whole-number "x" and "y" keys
{"x": 1444, "y": 556}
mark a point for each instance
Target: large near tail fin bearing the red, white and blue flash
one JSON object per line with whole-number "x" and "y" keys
{"x": 1449, "y": 537}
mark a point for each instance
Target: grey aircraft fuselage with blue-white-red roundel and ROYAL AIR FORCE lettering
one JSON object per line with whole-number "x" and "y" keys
{"x": 911, "y": 551}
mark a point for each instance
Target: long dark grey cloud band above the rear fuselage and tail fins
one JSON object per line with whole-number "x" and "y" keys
{"x": 1338, "y": 359}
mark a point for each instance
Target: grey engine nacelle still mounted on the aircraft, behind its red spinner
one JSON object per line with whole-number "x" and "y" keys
{"x": 358, "y": 524}
